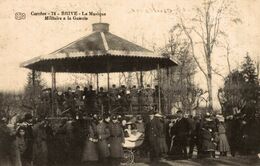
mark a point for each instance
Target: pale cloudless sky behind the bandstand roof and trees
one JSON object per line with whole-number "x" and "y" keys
{"x": 134, "y": 20}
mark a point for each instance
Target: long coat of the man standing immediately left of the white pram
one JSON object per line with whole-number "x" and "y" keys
{"x": 116, "y": 140}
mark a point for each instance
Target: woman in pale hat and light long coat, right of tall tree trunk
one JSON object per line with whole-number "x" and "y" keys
{"x": 223, "y": 145}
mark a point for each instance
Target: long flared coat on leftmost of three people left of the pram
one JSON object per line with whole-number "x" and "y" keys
{"x": 90, "y": 151}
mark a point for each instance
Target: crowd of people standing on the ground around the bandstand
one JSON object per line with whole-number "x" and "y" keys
{"x": 100, "y": 139}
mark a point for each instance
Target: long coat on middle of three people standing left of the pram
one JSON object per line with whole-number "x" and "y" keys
{"x": 103, "y": 134}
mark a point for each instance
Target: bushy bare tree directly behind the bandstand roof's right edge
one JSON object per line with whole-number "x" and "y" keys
{"x": 183, "y": 92}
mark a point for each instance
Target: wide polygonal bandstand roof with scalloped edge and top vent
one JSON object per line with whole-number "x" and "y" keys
{"x": 99, "y": 52}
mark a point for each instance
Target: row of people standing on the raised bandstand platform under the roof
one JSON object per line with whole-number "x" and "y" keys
{"x": 87, "y": 100}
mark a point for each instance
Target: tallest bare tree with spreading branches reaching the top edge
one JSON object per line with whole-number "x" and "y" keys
{"x": 205, "y": 34}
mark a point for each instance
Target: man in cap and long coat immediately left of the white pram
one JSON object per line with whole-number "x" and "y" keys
{"x": 116, "y": 140}
